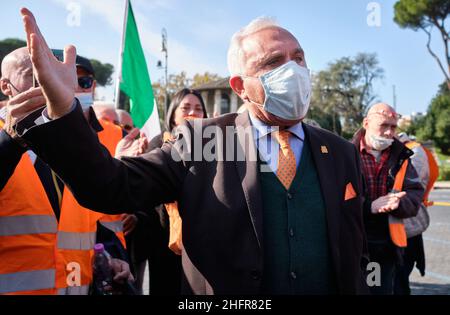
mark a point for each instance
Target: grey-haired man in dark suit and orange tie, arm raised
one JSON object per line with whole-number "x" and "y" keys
{"x": 285, "y": 221}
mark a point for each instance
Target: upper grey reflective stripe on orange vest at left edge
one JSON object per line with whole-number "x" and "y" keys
{"x": 32, "y": 224}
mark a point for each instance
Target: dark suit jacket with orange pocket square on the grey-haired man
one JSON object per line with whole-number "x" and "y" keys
{"x": 220, "y": 201}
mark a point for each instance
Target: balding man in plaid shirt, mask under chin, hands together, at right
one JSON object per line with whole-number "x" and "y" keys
{"x": 383, "y": 158}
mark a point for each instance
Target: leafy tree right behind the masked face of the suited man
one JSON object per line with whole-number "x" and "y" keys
{"x": 344, "y": 90}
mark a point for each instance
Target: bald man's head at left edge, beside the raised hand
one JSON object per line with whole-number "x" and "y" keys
{"x": 17, "y": 72}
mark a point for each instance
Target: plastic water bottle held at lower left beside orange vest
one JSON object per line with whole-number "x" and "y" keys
{"x": 103, "y": 276}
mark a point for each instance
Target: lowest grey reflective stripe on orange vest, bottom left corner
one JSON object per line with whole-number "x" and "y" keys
{"x": 27, "y": 281}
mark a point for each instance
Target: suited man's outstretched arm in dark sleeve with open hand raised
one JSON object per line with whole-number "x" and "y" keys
{"x": 72, "y": 149}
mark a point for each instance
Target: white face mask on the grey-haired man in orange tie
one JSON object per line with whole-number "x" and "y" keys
{"x": 288, "y": 91}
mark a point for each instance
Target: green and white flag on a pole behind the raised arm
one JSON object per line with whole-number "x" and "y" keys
{"x": 134, "y": 79}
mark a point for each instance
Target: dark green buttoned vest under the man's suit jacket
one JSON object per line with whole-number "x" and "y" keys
{"x": 296, "y": 247}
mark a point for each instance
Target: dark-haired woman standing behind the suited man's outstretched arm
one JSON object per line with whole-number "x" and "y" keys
{"x": 163, "y": 249}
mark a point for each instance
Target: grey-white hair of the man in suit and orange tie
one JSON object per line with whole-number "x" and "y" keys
{"x": 235, "y": 54}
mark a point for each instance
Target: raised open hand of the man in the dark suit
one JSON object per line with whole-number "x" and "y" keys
{"x": 57, "y": 79}
